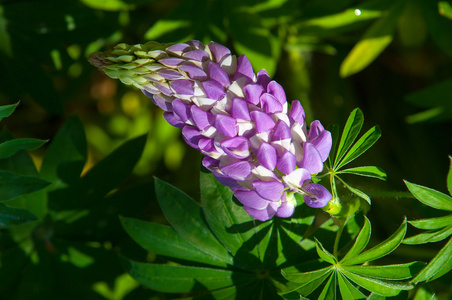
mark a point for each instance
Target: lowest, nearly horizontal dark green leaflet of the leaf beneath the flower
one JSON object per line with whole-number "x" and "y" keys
{"x": 182, "y": 279}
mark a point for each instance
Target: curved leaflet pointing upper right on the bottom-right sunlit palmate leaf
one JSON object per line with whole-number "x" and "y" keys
{"x": 382, "y": 249}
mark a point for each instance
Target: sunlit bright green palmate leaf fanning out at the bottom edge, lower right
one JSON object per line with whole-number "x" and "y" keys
{"x": 388, "y": 280}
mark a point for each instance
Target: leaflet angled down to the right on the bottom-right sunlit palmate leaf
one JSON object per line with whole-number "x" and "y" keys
{"x": 381, "y": 287}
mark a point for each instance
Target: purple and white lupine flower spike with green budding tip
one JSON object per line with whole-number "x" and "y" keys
{"x": 239, "y": 120}
